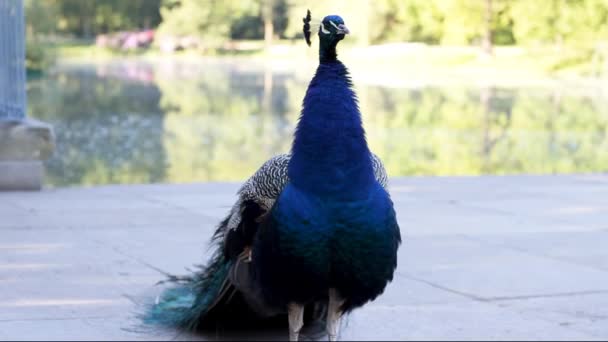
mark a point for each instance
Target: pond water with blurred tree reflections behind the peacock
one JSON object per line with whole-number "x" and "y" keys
{"x": 133, "y": 122}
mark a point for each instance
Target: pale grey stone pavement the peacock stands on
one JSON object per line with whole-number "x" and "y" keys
{"x": 501, "y": 258}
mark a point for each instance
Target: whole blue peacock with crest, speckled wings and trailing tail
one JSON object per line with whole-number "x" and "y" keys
{"x": 313, "y": 234}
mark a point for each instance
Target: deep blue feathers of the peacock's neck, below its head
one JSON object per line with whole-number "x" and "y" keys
{"x": 329, "y": 154}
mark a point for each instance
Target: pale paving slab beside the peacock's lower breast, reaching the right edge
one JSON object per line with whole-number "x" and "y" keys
{"x": 486, "y": 271}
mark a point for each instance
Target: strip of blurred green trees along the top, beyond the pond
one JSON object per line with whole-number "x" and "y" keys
{"x": 571, "y": 22}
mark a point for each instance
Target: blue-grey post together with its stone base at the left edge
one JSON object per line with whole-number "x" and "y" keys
{"x": 24, "y": 142}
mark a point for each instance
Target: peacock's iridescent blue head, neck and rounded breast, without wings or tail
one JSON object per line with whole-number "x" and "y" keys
{"x": 333, "y": 226}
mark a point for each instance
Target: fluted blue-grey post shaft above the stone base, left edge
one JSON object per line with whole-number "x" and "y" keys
{"x": 13, "y": 100}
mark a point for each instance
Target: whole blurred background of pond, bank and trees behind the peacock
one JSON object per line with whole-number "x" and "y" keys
{"x": 146, "y": 91}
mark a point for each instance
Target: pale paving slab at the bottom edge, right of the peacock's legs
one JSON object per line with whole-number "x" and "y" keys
{"x": 465, "y": 321}
